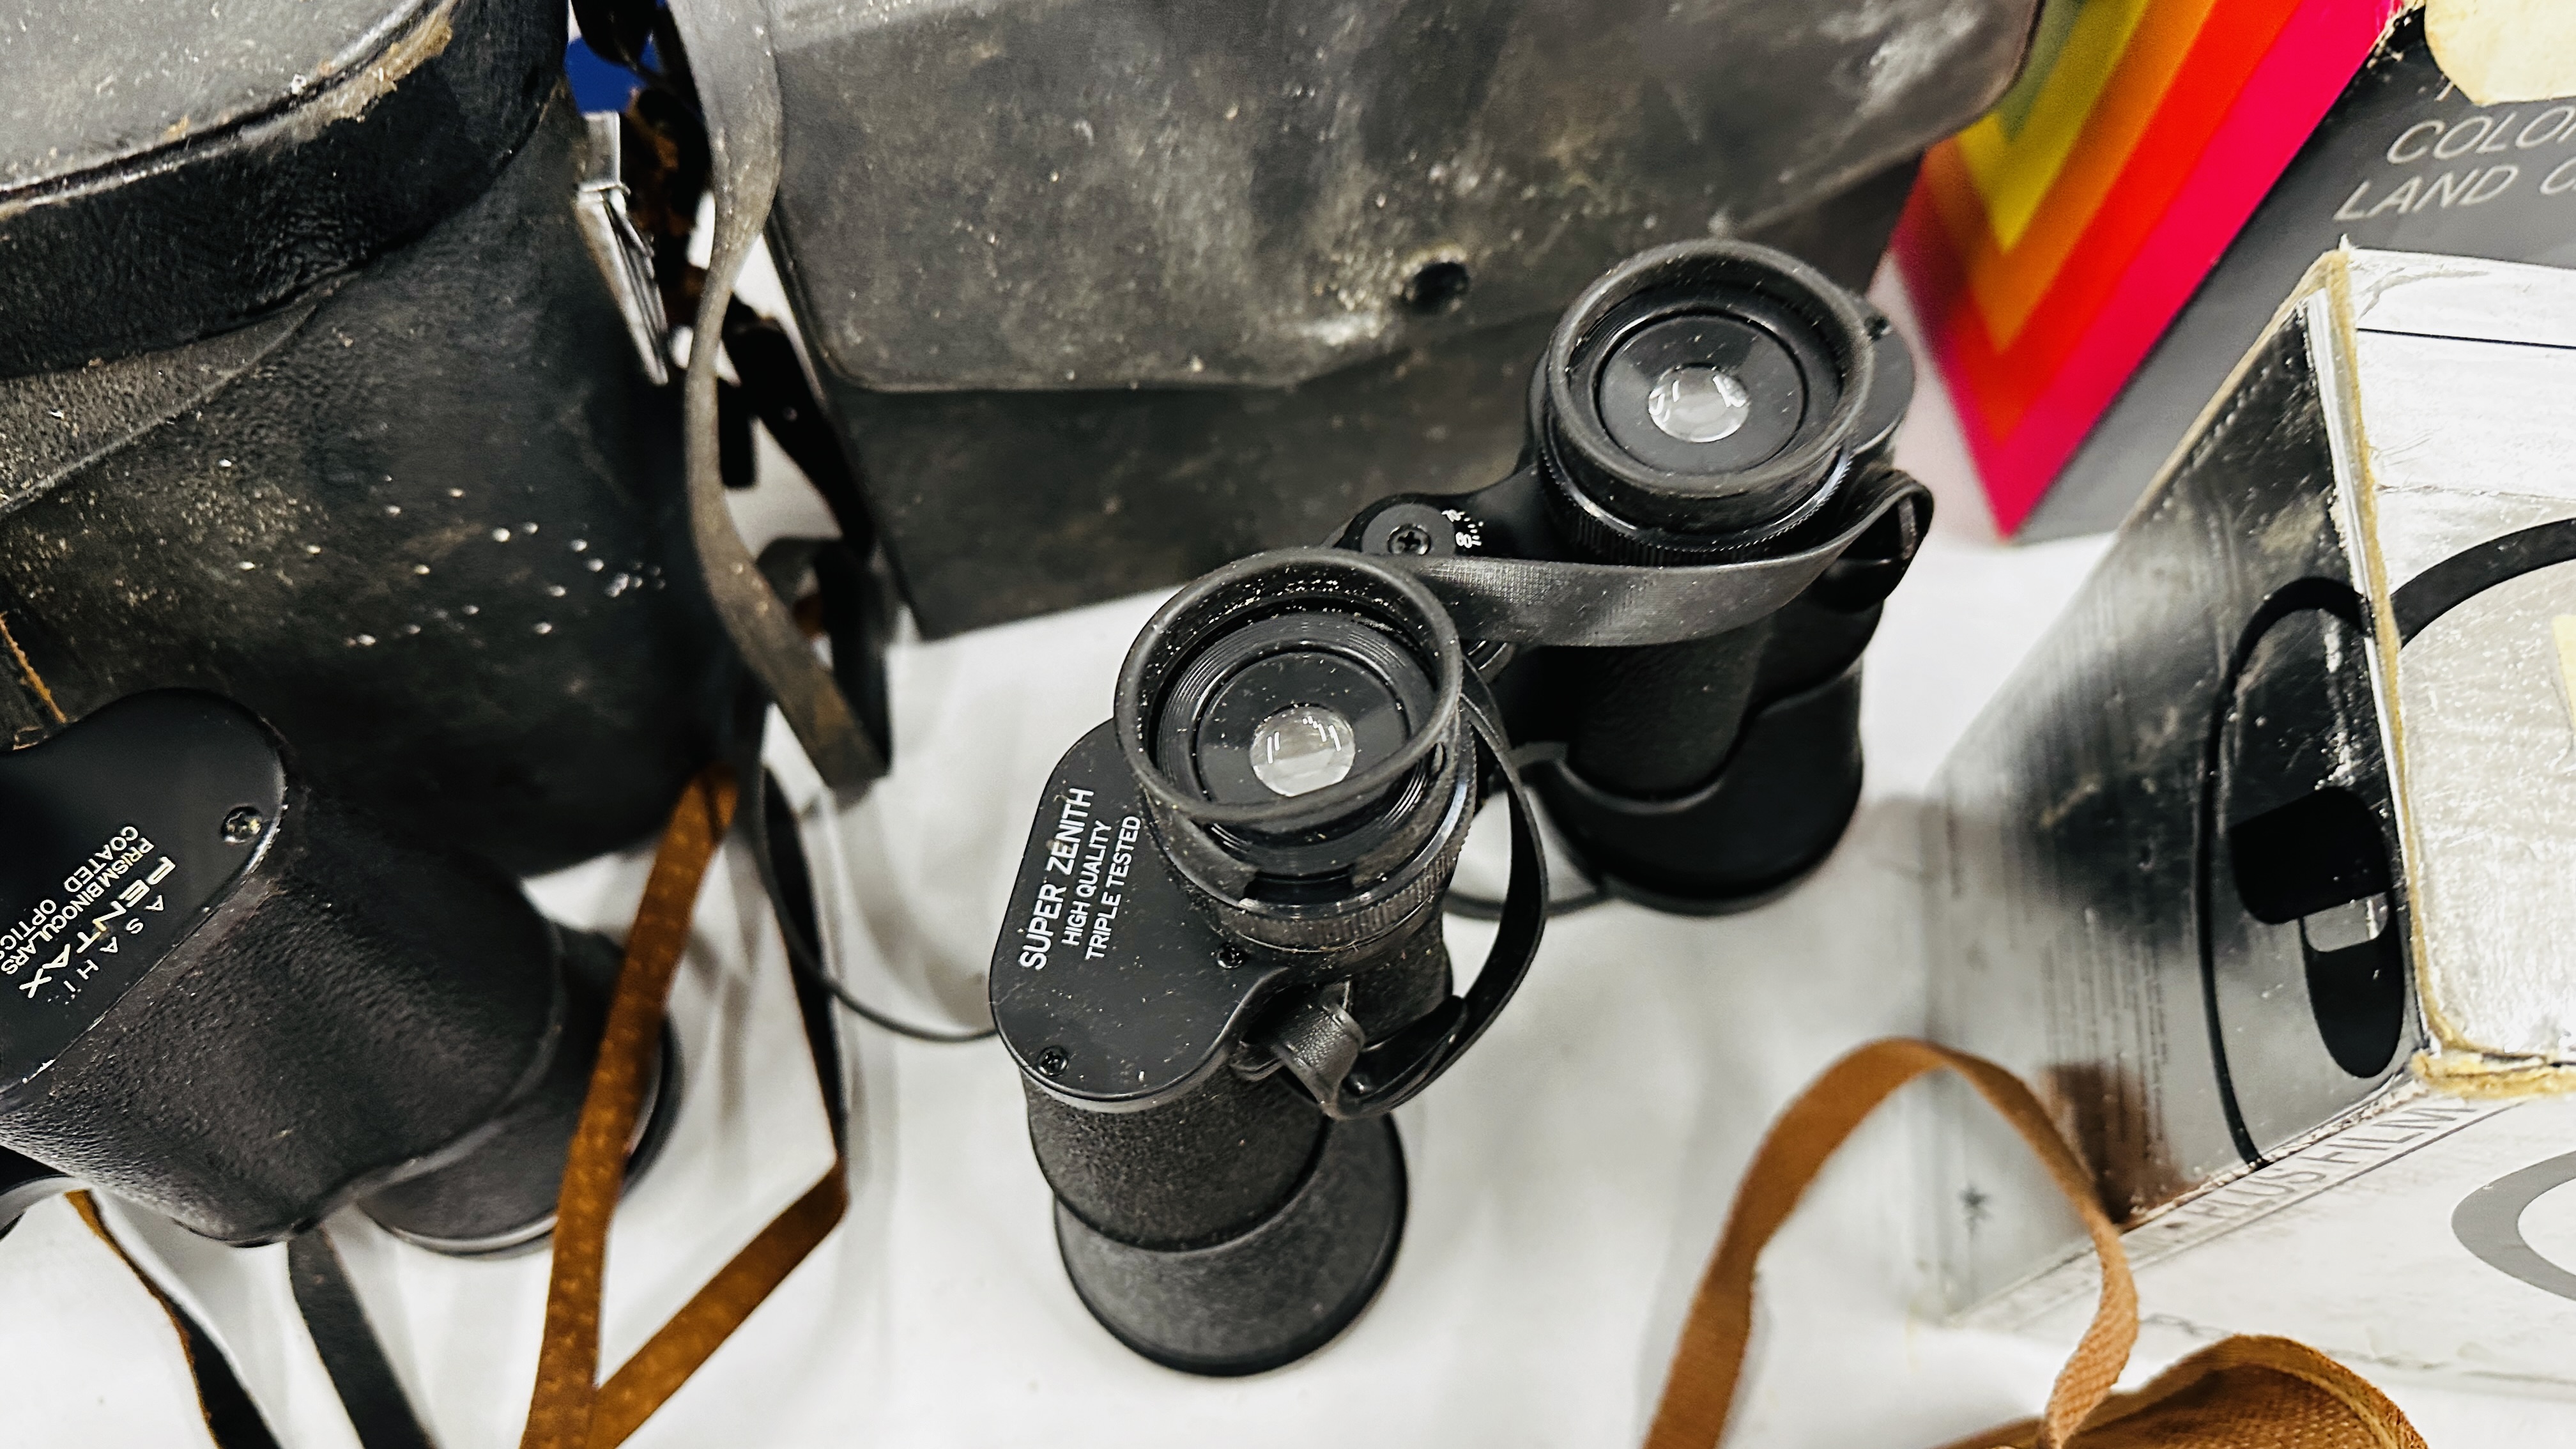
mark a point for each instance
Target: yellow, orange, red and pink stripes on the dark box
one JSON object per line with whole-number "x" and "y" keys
{"x": 2052, "y": 244}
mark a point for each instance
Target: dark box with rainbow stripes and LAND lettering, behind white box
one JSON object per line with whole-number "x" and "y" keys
{"x": 2096, "y": 257}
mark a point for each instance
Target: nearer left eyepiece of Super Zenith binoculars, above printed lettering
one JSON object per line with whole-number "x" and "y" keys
{"x": 1300, "y": 741}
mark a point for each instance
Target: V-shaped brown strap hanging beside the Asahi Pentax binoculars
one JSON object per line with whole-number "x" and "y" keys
{"x": 571, "y": 1409}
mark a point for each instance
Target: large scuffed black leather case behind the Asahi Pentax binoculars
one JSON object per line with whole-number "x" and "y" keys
{"x": 331, "y": 383}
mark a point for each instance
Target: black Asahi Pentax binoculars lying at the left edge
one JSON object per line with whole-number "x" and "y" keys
{"x": 243, "y": 1004}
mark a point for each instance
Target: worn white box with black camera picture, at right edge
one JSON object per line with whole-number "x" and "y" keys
{"x": 2260, "y": 865}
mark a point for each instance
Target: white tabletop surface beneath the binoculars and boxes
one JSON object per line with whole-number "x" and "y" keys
{"x": 1567, "y": 1177}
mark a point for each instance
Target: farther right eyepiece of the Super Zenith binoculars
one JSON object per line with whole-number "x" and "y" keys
{"x": 1701, "y": 398}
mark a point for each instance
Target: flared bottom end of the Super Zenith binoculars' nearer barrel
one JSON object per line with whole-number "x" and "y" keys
{"x": 1269, "y": 1298}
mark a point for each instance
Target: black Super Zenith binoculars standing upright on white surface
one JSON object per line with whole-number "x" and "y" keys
{"x": 1225, "y": 960}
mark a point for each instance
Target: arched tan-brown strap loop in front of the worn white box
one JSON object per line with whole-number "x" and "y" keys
{"x": 1709, "y": 1360}
